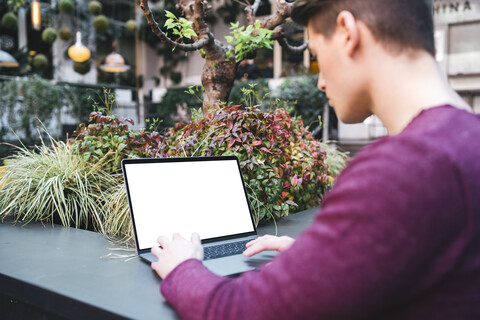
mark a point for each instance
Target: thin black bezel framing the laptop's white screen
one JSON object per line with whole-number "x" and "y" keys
{"x": 185, "y": 159}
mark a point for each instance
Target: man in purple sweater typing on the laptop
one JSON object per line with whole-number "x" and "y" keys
{"x": 398, "y": 236}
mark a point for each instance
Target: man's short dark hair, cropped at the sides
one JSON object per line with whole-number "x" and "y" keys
{"x": 397, "y": 24}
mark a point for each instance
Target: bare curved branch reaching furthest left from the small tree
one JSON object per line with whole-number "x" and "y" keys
{"x": 204, "y": 35}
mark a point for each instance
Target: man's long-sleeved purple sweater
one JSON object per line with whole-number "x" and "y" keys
{"x": 398, "y": 237}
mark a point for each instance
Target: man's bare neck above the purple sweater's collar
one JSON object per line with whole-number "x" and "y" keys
{"x": 405, "y": 85}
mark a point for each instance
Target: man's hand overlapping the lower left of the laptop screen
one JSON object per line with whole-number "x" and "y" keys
{"x": 175, "y": 251}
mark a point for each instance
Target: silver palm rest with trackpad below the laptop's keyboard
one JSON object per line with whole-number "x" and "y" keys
{"x": 234, "y": 265}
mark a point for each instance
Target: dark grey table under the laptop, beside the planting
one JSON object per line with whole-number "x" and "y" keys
{"x": 51, "y": 272}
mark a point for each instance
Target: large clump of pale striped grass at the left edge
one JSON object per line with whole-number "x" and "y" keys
{"x": 55, "y": 183}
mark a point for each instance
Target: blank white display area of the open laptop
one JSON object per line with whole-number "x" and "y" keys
{"x": 185, "y": 197}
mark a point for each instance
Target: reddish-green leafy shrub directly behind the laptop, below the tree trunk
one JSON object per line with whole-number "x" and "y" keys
{"x": 283, "y": 166}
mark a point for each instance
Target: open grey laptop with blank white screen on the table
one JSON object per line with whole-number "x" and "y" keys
{"x": 206, "y": 195}
